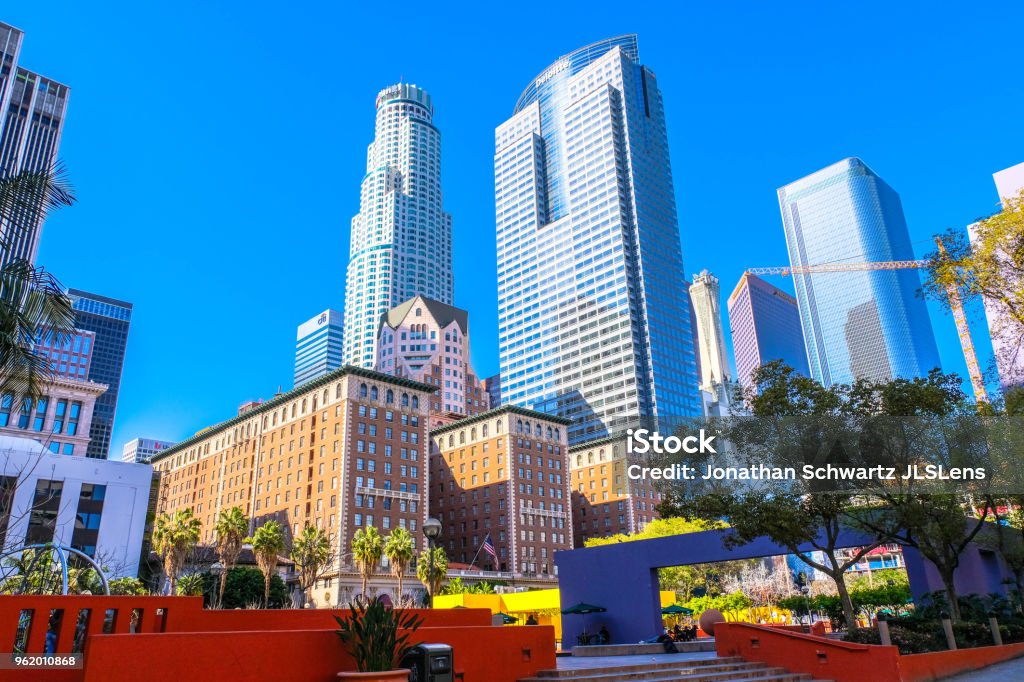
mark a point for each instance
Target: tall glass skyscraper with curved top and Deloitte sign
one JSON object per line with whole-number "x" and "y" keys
{"x": 592, "y": 312}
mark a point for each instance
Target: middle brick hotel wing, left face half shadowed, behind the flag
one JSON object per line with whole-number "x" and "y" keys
{"x": 503, "y": 474}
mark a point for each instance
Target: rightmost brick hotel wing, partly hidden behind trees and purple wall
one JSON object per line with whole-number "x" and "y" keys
{"x": 606, "y": 501}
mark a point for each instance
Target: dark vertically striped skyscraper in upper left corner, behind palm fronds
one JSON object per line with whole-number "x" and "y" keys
{"x": 33, "y": 109}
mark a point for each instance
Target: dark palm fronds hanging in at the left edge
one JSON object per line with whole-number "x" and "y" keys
{"x": 32, "y": 301}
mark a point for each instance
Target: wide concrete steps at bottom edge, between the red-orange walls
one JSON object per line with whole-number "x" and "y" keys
{"x": 704, "y": 670}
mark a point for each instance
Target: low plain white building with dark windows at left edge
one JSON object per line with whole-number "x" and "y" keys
{"x": 96, "y": 506}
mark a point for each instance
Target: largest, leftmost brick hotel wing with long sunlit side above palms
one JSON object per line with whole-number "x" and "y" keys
{"x": 343, "y": 452}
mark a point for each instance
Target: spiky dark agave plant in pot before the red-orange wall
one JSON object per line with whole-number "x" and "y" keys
{"x": 377, "y": 636}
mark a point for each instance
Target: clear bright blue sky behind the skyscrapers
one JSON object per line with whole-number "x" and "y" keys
{"x": 218, "y": 152}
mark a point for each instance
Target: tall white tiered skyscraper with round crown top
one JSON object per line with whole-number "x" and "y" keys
{"x": 402, "y": 237}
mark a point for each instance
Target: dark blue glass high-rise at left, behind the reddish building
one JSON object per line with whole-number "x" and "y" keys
{"x": 110, "y": 320}
